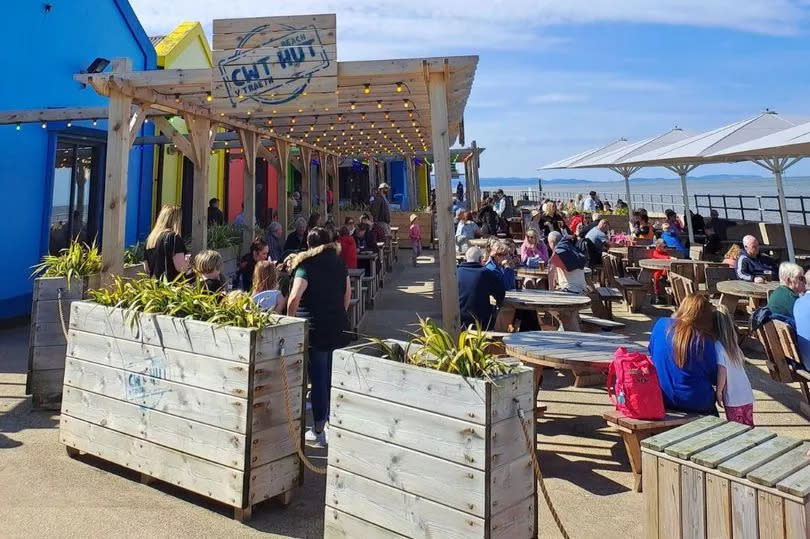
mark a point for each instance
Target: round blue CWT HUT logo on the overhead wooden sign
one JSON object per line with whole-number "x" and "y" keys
{"x": 279, "y": 76}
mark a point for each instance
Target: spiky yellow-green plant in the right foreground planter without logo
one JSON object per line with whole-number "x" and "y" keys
{"x": 469, "y": 355}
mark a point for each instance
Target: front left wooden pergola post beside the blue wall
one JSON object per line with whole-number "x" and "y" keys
{"x": 115, "y": 178}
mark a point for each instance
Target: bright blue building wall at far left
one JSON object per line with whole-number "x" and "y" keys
{"x": 44, "y": 49}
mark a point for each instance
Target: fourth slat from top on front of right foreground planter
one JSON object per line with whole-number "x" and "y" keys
{"x": 392, "y": 509}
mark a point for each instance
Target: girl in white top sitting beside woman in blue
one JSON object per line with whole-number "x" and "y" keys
{"x": 733, "y": 388}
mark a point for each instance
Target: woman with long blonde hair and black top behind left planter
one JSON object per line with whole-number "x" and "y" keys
{"x": 166, "y": 255}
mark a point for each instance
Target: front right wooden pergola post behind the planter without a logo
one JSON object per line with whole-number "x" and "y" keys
{"x": 441, "y": 154}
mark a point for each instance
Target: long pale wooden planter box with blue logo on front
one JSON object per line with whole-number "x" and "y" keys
{"x": 186, "y": 402}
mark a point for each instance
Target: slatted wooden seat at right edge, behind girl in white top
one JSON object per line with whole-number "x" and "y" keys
{"x": 782, "y": 358}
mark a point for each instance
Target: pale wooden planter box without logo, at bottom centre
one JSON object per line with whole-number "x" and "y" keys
{"x": 420, "y": 453}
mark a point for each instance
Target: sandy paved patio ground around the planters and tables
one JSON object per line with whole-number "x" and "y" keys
{"x": 46, "y": 494}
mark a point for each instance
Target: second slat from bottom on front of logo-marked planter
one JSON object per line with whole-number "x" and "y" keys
{"x": 190, "y": 437}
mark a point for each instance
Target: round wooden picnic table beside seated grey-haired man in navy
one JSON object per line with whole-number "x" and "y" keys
{"x": 563, "y": 306}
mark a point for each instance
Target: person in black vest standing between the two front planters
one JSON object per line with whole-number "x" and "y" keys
{"x": 321, "y": 293}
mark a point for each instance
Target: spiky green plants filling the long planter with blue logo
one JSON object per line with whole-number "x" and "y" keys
{"x": 183, "y": 300}
